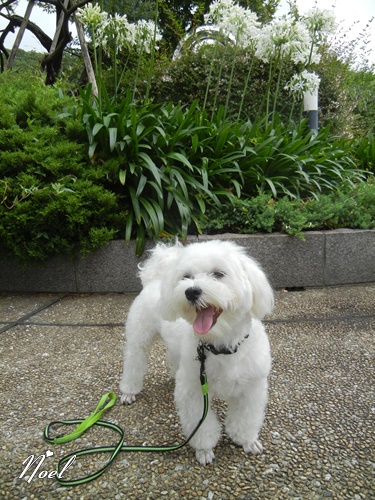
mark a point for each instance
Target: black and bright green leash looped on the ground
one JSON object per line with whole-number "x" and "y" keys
{"x": 94, "y": 419}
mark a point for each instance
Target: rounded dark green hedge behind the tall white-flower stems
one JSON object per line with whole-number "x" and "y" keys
{"x": 185, "y": 80}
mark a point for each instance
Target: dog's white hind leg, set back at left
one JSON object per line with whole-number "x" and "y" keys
{"x": 141, "y": 328}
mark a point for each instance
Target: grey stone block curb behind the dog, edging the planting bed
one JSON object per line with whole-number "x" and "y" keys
{"x": 325, "y": 258}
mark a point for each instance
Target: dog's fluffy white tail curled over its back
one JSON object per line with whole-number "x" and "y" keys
{"x": 161, "y": 258}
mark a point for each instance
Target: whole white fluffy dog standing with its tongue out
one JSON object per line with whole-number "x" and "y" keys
{"x": 214, "y": 293}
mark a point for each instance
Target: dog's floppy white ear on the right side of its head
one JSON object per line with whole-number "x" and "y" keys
{"x": 262, "y": 299}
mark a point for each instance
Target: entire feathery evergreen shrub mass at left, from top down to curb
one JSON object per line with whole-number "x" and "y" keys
{"x": 52, "y": 200}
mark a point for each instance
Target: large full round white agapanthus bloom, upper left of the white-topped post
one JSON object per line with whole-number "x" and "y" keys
{"x": 283, "y": 38}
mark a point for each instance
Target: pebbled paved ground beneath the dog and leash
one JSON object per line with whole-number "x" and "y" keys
{"x": 59, "y": 354}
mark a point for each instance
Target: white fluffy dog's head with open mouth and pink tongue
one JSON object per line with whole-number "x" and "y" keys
{"x": 215, "y": 286}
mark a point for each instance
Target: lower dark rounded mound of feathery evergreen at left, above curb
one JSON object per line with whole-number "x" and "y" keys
{"x": 70, "y": 217}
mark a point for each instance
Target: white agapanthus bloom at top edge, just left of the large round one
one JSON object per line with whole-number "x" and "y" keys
{"x": 232, "y": 18}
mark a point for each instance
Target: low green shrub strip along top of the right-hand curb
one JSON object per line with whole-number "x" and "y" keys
{"x": 350, "y": 207}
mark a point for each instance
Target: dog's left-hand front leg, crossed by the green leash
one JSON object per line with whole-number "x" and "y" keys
{"x": 190, "y": 404}
